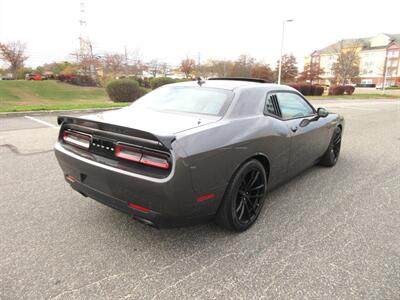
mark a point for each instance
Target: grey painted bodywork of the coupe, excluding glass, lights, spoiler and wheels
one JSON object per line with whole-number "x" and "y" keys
{"x": 206, "y": 154}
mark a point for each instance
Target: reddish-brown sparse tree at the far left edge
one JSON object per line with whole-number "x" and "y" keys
{"x": 13, "y": 53}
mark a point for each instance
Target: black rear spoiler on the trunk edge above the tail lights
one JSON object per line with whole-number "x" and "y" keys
{"x": 131, "y": 133}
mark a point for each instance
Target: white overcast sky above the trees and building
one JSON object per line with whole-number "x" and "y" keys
{"x": 173, "y": 29}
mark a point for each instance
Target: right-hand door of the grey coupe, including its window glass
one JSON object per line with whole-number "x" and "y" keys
{"x": 308, "y": 131}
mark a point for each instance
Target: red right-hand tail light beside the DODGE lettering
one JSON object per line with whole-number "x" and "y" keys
{"x": 146, "y": 157}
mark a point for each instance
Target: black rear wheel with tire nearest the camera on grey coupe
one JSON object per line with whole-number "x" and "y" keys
{"x": 244, "y": 197}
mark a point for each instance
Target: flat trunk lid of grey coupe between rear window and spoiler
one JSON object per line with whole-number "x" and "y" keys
{"x": 162, "y": 123}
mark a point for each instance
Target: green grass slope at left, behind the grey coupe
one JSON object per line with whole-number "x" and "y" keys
{"x": 21, "y": 95}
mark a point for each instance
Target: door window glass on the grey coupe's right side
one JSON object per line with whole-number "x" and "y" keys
{"x": 293, "y": 106}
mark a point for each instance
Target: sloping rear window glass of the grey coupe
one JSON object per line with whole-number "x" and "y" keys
{"x": 196, "y": 100}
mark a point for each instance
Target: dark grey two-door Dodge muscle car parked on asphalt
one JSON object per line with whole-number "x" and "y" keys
{"x": 194, "y": 151}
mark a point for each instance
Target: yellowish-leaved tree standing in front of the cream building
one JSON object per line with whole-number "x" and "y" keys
{"x": 347, "y": 65}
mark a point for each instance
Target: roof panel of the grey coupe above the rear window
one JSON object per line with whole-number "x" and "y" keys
{"x": 231, "y": 84}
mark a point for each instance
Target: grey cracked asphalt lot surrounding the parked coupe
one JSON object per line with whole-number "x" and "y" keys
{"x": 328, "y": 233}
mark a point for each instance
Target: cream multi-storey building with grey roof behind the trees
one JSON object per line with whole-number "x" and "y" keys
{"x": 379, "y": 59}
